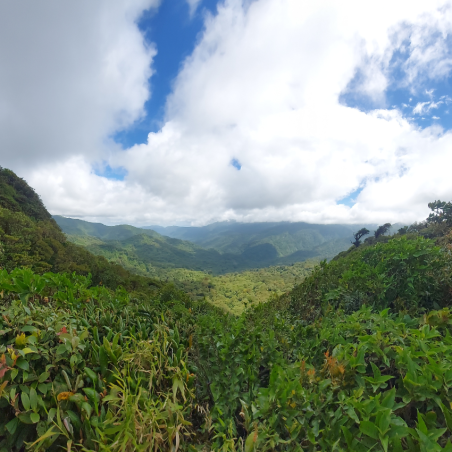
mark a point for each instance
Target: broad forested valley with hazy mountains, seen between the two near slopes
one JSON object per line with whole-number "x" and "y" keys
{"x": 229, "y": 264}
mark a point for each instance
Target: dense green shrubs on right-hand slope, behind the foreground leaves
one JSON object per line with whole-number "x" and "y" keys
{"x": 402, "y": 274}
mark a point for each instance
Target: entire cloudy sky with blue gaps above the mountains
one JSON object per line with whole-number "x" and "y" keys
{"x": 188, "y": 112}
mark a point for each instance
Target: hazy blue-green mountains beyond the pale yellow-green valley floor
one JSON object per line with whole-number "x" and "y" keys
{"x": 218, "y": 248}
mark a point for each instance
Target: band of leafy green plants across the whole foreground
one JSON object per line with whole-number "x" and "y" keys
{"x": 86, "y": 368}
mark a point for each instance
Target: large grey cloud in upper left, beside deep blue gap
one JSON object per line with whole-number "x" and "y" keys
{"x": 71, "y": 74}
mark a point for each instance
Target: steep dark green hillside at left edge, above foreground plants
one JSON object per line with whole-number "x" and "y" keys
{"x": 29, "y": 237}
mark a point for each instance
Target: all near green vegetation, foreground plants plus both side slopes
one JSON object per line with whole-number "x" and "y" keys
{"x": 356, "y": 357}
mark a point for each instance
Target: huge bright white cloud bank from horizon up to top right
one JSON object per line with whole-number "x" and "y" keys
{"x": 263, "y": 87}
